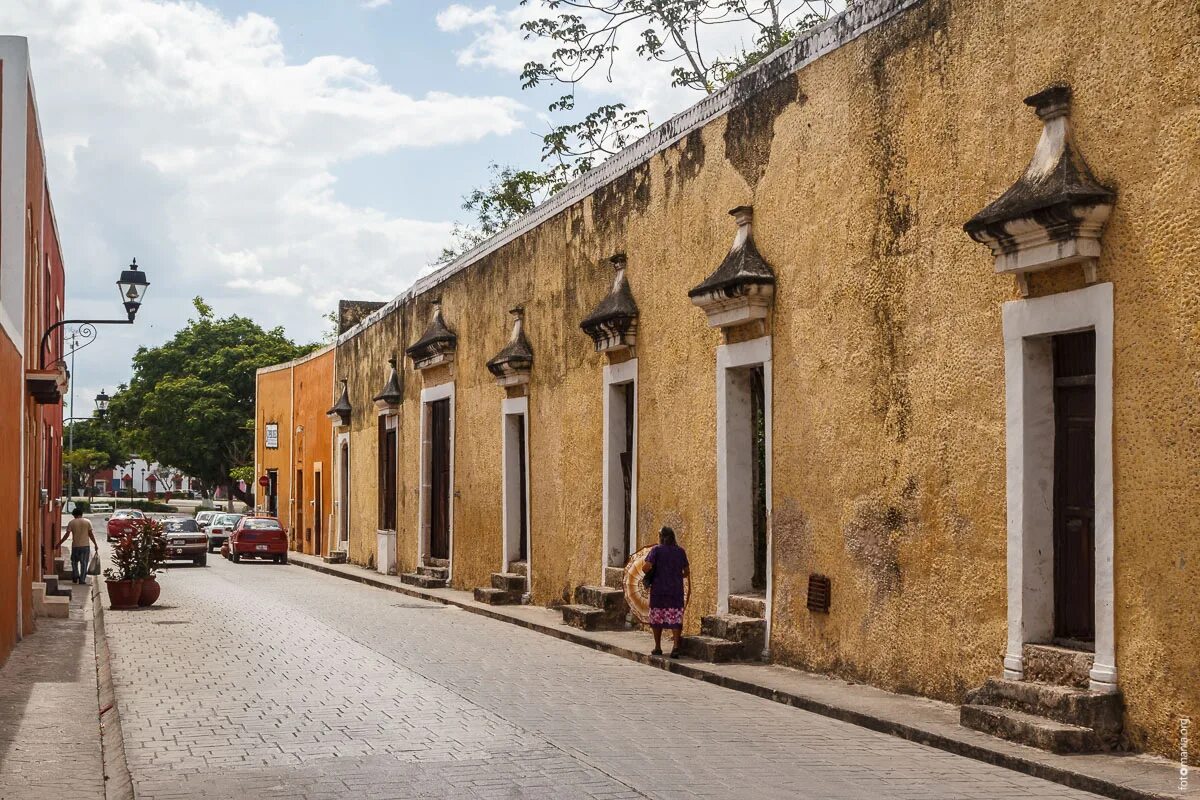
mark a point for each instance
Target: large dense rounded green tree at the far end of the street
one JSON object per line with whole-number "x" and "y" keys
{"x": 191, "y": 401}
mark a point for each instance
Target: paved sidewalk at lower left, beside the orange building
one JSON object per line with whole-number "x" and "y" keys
{"x": 50, "y": 723}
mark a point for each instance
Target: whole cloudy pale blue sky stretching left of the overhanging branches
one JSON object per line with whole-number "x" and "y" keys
{"x": 274, "y": 155}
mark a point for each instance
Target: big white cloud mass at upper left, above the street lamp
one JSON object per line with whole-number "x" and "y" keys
{"x": 189, "y": 139}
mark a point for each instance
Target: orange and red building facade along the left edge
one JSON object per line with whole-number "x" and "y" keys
{"x": 32, "y": 381}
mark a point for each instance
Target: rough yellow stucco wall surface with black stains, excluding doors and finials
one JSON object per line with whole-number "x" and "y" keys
{"x": 889, "y": 437}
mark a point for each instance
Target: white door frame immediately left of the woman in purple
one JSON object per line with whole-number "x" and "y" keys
{"x": 613, "y": 510}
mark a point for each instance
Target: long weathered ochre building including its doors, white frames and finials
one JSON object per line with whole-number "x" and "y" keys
{"x": 923, "y": 410}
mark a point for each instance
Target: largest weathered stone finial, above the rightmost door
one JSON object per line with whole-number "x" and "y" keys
{"x": 1054, "y": 214}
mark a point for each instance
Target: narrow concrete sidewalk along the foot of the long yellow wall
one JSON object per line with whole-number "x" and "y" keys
{"x": 929, "y": 723}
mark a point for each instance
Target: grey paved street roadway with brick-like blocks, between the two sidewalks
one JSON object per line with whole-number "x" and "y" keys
{"x": 257, "y": 681}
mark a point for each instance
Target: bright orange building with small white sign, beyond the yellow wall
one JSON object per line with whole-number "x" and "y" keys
{"x": 293, "y": 449}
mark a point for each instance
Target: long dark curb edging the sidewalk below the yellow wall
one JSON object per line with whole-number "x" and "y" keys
{"x": 911, "y": 733}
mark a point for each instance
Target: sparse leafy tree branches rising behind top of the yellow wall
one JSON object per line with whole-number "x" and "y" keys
{"x": 589, "y": 38}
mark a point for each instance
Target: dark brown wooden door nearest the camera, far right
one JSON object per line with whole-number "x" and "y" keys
{"x": 1075, "y": 486}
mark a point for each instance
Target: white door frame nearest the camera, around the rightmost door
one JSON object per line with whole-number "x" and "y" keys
{"x": 1029, "y": 407}
